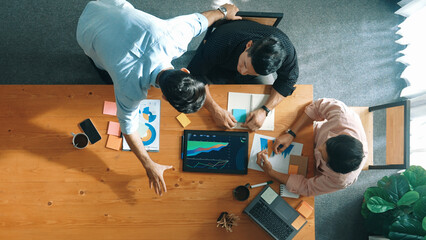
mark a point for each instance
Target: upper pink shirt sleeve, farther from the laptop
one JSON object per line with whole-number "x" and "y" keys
{"x": 326, "y": 109}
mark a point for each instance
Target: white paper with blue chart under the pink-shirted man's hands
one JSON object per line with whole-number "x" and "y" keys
{"x": 280, "y": 161}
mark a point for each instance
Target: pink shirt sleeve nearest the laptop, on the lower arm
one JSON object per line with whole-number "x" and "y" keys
{"x": 313, "y": 186}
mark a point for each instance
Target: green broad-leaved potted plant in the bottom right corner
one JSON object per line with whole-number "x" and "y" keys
{"x": 396, "y": 208}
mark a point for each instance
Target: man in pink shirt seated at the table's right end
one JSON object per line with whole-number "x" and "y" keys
{"x": 340, "y": 149}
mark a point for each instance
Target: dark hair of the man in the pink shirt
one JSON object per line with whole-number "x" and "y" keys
{"x": 345, "y": 153}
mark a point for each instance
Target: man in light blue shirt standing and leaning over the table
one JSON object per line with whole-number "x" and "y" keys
{"x": 136, "y": 49}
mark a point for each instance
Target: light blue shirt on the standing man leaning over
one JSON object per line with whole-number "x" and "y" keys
{"x": 133, "y": 47}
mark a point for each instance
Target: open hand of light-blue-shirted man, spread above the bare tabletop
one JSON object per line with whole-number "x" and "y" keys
{"x": 155, "y": 171}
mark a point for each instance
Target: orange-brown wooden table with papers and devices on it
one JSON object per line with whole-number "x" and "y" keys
{"x": 50, "y": 190}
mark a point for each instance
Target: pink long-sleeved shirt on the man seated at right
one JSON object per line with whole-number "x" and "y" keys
{"x": 332, "y": 118}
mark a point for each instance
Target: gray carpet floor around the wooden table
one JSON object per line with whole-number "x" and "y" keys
{"x": 345, "y": 48}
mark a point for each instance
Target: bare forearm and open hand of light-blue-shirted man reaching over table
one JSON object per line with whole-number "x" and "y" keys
{"x": 154, "y": 171}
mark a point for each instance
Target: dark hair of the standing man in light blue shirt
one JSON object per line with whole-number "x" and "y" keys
{"x": 182, "y": 90}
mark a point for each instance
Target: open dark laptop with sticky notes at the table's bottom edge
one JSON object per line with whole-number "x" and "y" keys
{"x": 275, "y": 215}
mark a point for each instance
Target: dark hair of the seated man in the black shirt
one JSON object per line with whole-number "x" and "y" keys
{"x": 267, "y": 55}
